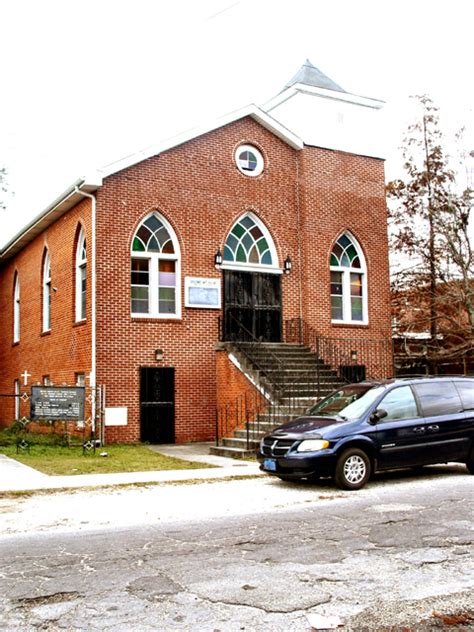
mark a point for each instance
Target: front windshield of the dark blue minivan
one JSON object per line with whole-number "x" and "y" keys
{"x": 351, "y": 402}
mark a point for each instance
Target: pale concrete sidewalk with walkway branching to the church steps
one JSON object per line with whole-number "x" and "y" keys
{"x": 15, "y": 476}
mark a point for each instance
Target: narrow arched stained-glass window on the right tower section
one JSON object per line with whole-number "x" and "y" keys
{"x": 348, "y": 281}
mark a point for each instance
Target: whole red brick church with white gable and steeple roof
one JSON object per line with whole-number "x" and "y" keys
{"x": 269, "y": 221}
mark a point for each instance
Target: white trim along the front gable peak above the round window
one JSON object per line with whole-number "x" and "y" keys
{"x": 251, "y": 110}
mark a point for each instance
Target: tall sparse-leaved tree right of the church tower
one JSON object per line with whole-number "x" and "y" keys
{"x": 429, "y": 219}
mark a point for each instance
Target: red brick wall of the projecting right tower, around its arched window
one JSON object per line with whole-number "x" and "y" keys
{"x": 344, "y": 192}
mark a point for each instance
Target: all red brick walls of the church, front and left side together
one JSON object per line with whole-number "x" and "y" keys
{"x": 306, "y": 199}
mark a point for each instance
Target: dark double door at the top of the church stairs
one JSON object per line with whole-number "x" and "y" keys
{"x": 252, "y": 306}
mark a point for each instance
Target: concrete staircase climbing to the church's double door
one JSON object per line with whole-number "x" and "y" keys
{"x": 291, "y": 375}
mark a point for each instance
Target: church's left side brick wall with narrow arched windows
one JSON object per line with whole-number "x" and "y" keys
{"x": 66, "y": 349}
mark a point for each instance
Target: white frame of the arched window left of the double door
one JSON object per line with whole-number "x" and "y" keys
{"x": 153, "y": 274}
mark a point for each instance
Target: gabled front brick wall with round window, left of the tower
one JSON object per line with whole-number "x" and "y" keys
{"x": 201, "y": 193}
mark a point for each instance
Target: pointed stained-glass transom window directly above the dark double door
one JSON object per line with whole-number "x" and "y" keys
{"x": 248, "y": 243}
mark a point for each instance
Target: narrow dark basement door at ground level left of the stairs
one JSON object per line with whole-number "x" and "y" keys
{"x": 157, "y": 405}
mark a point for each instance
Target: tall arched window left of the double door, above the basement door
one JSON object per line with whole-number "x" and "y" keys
{"x": 155, "y": 270}
